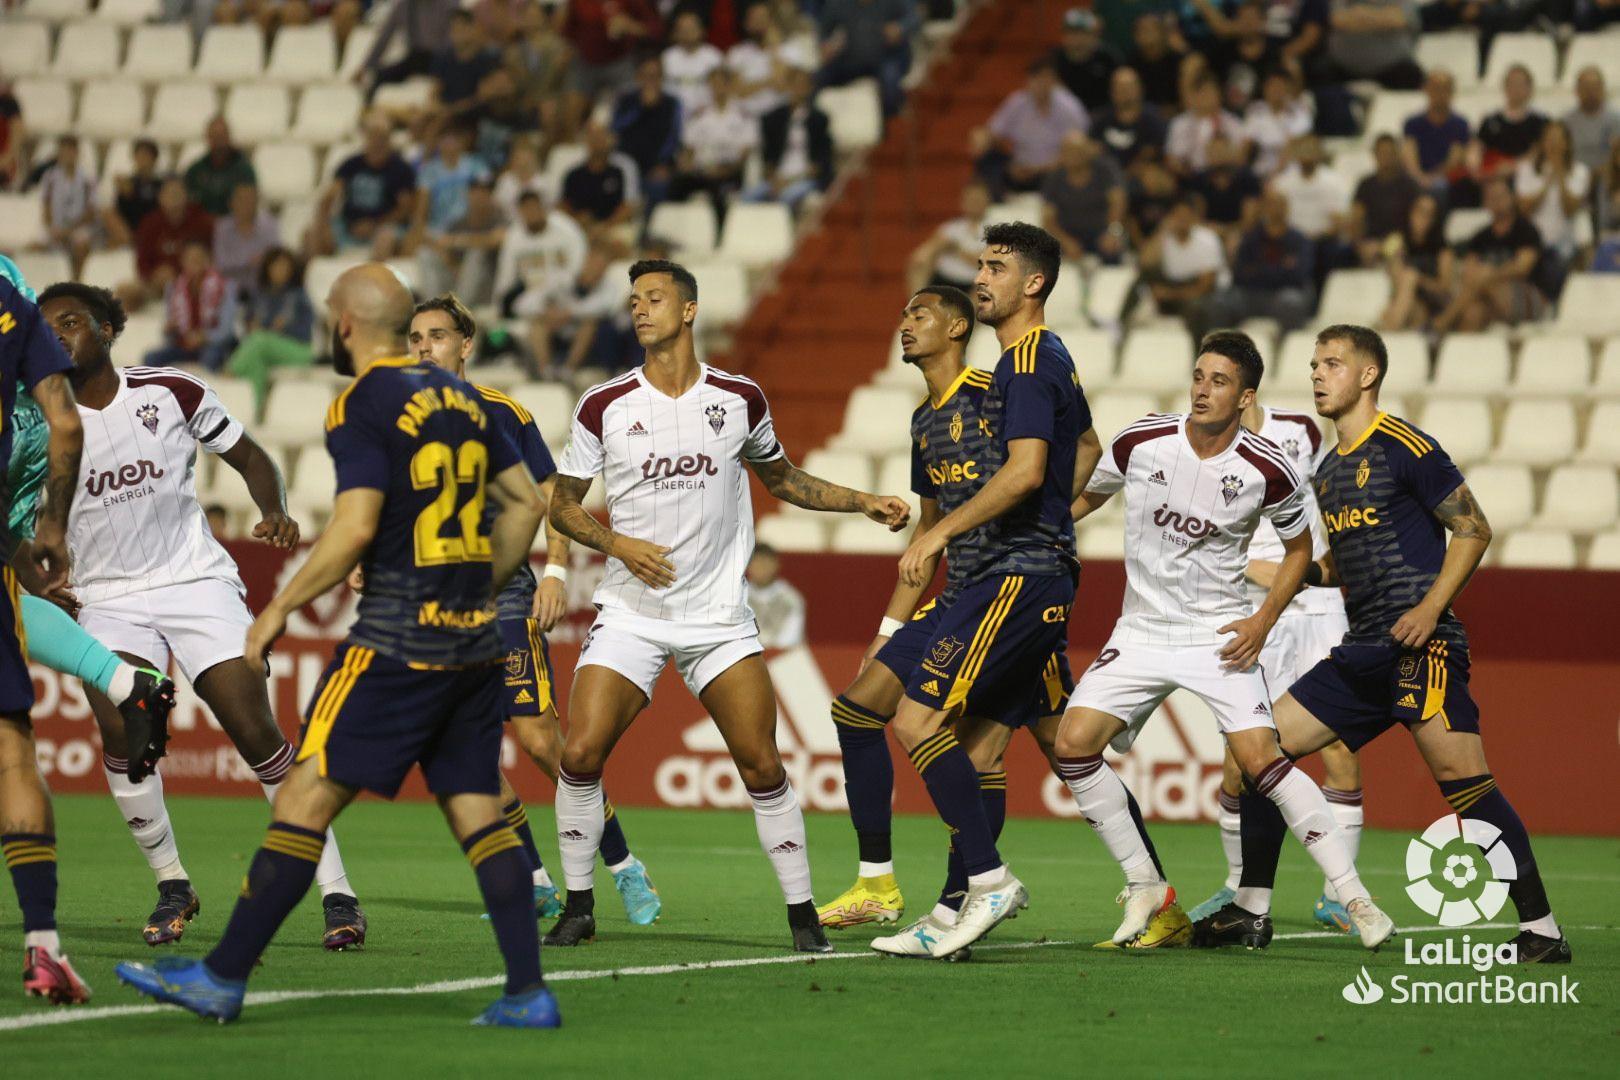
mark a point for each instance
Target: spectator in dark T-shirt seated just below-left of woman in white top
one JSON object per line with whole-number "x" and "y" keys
{"x": 1499, "y": 265}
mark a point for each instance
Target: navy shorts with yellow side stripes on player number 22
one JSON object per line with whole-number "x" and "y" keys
{"x": 373, "y": 718}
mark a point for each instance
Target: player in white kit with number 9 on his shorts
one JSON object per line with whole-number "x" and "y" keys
{"x": 1196, "y": 487}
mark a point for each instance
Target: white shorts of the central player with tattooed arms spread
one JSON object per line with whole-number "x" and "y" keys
{"x": 637, "y": 647}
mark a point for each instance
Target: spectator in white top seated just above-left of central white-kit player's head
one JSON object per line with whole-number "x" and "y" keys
{"x": 540, "y": 260}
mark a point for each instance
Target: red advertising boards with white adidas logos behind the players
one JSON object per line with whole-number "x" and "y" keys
{"x": 675, "y": 757}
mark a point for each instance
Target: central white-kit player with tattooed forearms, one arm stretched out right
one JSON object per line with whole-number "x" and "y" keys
{"x": 671, "y": 441}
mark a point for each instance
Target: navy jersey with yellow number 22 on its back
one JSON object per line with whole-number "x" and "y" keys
{"x": 427, "y": 441}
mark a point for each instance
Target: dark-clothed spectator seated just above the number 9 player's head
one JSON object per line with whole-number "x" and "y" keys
{"x": 1271, "y": 278}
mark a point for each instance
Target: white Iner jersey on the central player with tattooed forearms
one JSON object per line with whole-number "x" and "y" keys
{"x": 675, "y": 475}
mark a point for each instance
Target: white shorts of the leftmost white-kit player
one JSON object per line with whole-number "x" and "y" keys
{"x": 200, "y": 624}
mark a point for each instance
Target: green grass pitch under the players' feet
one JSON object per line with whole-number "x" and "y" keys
{"x": 1038, "y": 1003}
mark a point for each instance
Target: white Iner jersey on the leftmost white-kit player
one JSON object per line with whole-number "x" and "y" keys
{"x": 137, "y": 522}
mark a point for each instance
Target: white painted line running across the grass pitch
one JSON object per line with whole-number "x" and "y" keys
{"x": 454, "y": 987}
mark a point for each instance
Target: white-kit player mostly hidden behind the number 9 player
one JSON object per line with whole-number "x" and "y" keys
{"x": 1307, "y": 632}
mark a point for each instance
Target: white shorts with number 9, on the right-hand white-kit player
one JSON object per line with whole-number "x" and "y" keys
{"x": 1132, "y": 681}
